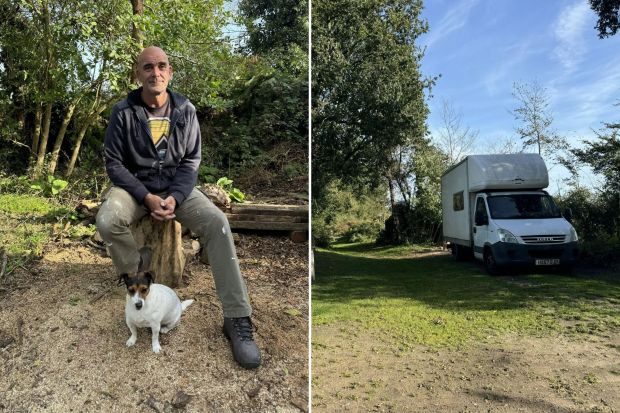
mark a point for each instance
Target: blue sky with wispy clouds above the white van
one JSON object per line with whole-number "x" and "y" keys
{"x": 481, "y": 47}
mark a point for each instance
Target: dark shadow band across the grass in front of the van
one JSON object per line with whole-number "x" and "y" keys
{"x": 439, "y": 281}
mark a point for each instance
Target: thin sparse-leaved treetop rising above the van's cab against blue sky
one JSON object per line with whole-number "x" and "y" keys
{"x": 536, "y": 119}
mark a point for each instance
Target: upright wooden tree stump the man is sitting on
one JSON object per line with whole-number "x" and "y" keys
{"x": 164, "y": 240}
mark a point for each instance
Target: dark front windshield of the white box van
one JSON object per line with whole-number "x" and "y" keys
{"x": 522, "y": 206}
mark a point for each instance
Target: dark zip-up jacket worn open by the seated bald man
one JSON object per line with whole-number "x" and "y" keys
{"x": 131, "y": 158}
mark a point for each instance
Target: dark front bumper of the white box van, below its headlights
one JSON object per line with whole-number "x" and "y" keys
{"x": 520, "y": 254}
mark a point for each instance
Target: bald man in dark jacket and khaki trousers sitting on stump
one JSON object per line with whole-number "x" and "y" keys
{"x": 152, "y": 152}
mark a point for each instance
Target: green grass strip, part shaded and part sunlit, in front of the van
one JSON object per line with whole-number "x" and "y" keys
{"x": 434, "y": 300}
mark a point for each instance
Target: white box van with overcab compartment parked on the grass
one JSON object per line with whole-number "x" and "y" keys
{"x": 495, "y": 207}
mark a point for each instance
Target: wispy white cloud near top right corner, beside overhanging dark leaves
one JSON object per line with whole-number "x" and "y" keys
{"x": 569, "y": 31}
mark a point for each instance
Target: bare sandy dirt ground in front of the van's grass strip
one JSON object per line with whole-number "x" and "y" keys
{"x": 356, "y": 371}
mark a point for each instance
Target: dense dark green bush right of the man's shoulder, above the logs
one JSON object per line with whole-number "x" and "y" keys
{"x": 269, "y": 113}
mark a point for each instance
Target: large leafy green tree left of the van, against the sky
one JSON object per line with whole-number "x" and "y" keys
{"x": 368, "y": 92}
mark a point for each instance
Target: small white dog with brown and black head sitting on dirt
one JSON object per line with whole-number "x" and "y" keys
{"x": 150, "y": 305}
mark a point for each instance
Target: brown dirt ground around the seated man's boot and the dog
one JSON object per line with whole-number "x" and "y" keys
{"x": 62, "y": 338}
